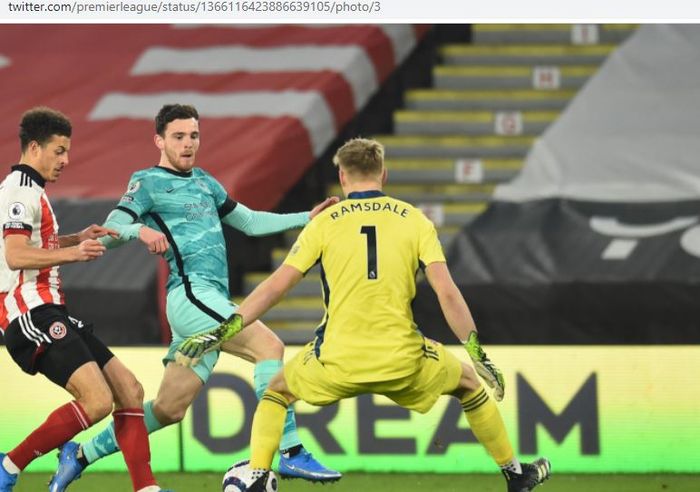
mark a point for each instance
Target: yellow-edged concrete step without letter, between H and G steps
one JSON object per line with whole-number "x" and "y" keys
{"x": 493, "y": 100}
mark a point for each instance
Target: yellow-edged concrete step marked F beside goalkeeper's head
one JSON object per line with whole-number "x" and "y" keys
{"x": 427, "y": 170}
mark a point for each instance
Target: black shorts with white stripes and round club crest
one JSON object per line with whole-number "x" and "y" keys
{"x": 49, "y": 341}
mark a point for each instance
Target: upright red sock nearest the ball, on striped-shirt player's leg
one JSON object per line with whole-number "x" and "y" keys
{"x": 132, "y": 438}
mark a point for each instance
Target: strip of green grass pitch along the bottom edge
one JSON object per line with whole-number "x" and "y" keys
{"x": 210, "y": 482}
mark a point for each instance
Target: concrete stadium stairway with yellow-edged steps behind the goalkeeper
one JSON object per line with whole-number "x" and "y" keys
{"x": 454, "y": 142}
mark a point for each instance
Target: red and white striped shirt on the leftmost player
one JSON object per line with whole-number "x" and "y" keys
{"x": 25, "y": 209}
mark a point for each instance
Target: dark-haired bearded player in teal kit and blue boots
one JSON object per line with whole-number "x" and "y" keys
{"x": 178, "y": 210}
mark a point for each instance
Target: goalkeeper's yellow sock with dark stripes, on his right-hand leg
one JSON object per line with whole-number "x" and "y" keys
{"x": 487, "y": 425}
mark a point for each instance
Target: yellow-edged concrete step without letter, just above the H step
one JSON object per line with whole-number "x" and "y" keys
{"x": 524, "y": 54}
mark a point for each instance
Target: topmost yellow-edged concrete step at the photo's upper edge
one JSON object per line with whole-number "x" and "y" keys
{"x": 551, "y": 33}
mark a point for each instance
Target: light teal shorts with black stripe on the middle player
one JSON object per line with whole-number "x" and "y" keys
{"x": 200, "y": 311}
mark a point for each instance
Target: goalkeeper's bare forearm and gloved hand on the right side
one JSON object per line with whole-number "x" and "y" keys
{"x": 461, "y": 322}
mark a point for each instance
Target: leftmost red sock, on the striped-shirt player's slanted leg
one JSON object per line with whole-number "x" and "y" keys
{"x": 60, "y": 426}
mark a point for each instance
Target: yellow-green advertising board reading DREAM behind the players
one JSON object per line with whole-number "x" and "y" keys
{"x": 588, "y": 408}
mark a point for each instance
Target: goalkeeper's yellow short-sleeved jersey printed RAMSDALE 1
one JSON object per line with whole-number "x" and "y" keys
{"x": 370, "y": 248}
